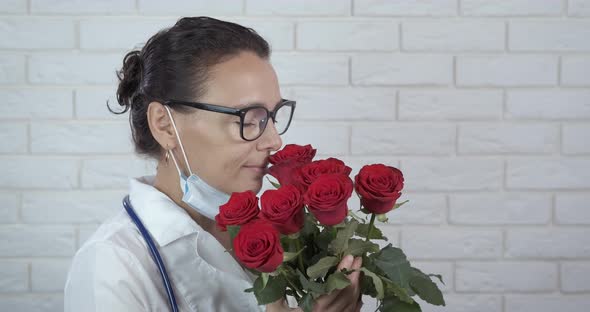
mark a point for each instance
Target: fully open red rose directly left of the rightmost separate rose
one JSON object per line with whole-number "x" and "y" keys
{"x": 327, "y": 198}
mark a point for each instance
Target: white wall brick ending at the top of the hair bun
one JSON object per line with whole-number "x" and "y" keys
{"x": 74, "y": 68}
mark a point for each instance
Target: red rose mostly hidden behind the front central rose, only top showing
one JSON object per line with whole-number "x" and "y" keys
{"x": 306, "y": 174}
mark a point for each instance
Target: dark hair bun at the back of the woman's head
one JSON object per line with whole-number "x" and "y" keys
{"x": 129, "y": 79}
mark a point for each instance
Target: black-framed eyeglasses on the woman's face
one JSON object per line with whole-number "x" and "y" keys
{"x": 253, "y": 119}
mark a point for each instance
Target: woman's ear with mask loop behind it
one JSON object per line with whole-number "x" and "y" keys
{"x": 161, "y": 125}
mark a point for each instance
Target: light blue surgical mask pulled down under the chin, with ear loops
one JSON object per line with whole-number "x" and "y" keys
{"x": 197, "y": 194}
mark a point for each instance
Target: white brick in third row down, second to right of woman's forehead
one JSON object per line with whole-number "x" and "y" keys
{"x": 401, "y": 69}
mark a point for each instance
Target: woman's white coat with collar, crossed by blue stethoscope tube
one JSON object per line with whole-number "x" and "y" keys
{"x": 114, "y": 271}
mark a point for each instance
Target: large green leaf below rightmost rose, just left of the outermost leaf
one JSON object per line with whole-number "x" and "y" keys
{"x": 393, "y": 262}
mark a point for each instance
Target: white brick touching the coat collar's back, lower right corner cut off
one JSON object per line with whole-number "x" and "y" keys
{"x": 70, "y": 207}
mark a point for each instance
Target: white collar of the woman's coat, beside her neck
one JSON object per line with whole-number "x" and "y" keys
{"x": 163, "y": 218}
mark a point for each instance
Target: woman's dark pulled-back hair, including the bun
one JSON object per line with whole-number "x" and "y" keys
{"x": 174, "y": 64}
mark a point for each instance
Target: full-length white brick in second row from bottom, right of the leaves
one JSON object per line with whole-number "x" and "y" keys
{"x": 522, "y": 276}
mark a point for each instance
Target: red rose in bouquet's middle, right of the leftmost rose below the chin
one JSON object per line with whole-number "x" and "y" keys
{"x": 283, "y": 208}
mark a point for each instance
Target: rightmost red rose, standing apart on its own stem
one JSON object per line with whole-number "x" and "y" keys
{"x": 379, "y": 187}
